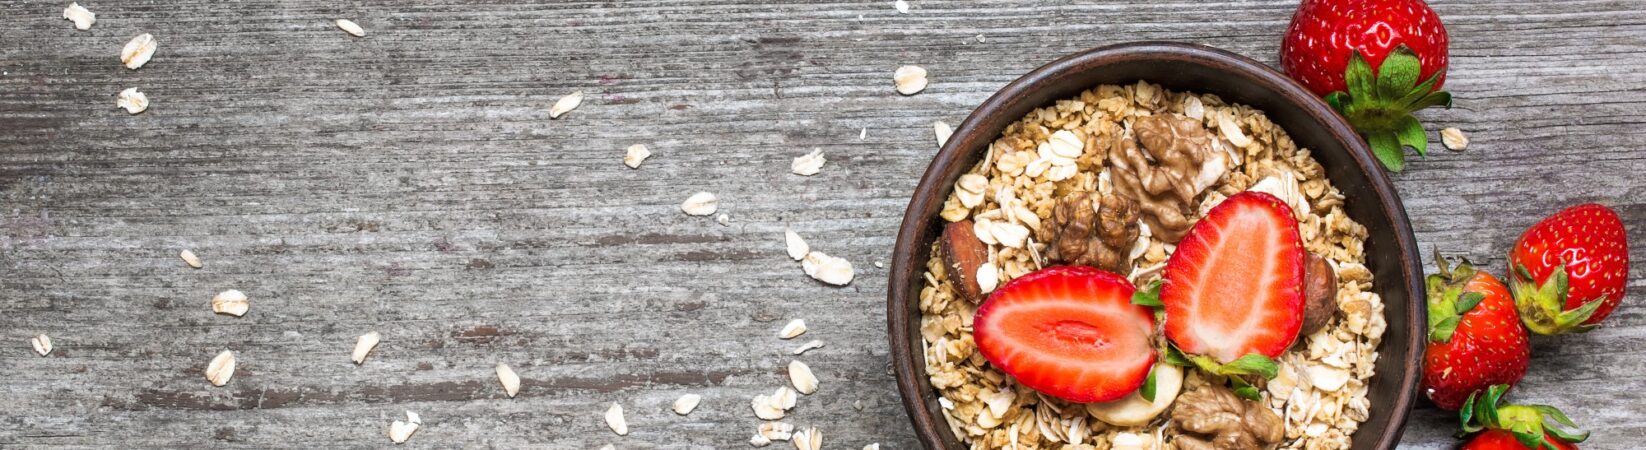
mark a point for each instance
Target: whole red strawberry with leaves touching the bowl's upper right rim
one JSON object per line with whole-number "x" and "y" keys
{"x": 1377, "y": 62}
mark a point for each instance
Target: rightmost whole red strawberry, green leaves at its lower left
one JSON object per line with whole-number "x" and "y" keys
{"x": 1571, "y": 270}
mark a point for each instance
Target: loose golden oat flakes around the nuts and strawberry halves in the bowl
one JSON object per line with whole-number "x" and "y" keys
{"x": 1069, "y": 148}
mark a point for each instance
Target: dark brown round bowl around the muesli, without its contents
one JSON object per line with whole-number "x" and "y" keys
{"x": 1372, "y": 200}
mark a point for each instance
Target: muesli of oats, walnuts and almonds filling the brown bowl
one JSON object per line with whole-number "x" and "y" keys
{"x": 1067, "y": 185}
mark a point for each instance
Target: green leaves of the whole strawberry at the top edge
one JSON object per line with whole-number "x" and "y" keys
{"x": 1380, "y": 105}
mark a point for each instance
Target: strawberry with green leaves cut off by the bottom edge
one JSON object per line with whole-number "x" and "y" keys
{"x": 1515, "y": 428}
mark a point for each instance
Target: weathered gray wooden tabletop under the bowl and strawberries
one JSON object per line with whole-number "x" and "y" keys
{"x": 411, "y": 182}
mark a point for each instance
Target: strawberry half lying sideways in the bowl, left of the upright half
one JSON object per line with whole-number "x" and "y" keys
{"x": 1069, "y": 332}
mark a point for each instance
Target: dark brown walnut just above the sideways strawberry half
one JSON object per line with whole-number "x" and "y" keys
{"x": 1092, "y": 230}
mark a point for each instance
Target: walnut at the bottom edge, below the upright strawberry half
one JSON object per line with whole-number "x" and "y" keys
{"x": 1212, "y": 418}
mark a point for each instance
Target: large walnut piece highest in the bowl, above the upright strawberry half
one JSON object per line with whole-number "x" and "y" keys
{"x": 1174, "y": 164}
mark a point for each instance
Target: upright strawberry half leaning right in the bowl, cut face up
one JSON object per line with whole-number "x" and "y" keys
{"x": 1235, "y": 284}
